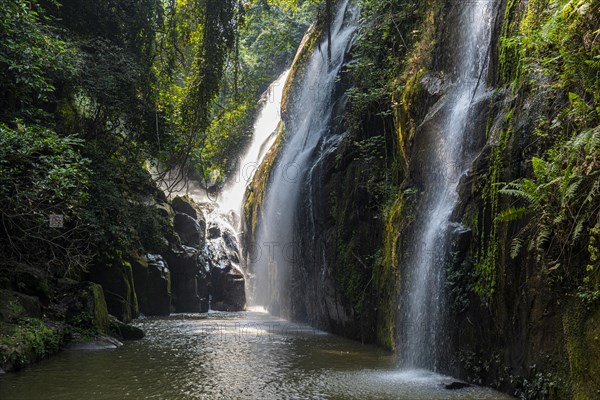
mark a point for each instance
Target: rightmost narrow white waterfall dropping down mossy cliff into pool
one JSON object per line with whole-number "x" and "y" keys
{"x": 443, "y": 150}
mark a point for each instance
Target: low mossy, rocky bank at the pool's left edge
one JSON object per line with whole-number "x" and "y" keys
{"x": 40, "y": 315}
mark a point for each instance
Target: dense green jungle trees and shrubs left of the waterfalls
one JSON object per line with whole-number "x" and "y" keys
{"x": 97, "y": 97}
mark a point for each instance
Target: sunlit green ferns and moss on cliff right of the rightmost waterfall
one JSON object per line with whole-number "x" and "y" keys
{"x": 546, "y": 51}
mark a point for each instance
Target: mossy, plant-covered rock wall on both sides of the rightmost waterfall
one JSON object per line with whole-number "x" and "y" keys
{"x": 521, "y": 271}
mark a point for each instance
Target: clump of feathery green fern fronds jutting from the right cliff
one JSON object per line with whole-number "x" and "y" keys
{"x": 562, "y": 203}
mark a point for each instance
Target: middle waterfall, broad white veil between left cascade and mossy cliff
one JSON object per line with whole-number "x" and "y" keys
{"x": 306, "y": 135}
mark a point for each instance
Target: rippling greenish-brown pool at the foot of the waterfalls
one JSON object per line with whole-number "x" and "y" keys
{"x": 246, "y": 355}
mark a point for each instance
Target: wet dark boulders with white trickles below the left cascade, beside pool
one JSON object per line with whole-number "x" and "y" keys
{"x": 203, "y": 265}
